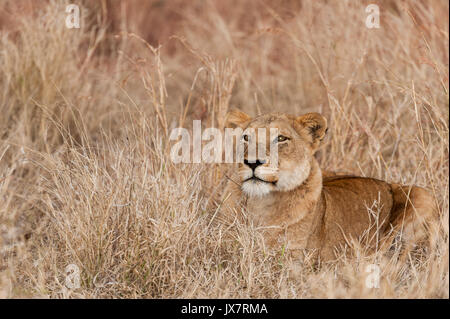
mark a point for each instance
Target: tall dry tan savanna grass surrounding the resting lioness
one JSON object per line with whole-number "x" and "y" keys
{"x": 85, "y": 172}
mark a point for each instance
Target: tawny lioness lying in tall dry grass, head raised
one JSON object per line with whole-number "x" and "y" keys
{"x": 308, "y": 212}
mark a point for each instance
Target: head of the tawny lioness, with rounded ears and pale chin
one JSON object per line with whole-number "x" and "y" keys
{"x": 296, "y": 140}
